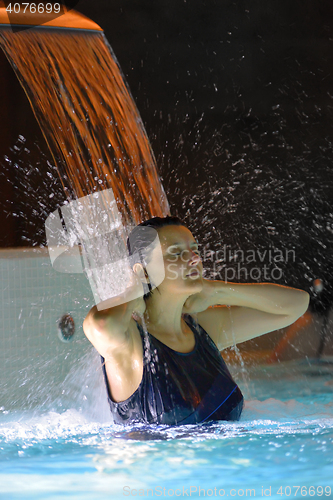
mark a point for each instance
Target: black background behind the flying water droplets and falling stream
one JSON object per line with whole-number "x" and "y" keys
{"x": 237, "y": 101}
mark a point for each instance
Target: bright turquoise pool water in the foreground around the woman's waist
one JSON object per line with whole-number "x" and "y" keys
{"x": 282, "y": 447}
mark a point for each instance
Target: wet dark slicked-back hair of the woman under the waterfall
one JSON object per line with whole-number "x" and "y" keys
{"x": 139, "y": 240}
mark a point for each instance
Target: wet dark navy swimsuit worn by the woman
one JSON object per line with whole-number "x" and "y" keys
{"x": 180, "y": 388}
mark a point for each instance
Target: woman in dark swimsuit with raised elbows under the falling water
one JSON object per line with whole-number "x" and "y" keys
{"x": 176, "y": 375}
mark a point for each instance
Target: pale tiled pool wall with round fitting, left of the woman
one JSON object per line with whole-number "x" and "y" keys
{"x": 34, "y": 361}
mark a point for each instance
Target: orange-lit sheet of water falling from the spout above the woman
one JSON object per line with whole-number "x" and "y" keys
{"x": 88, "y": 117}
